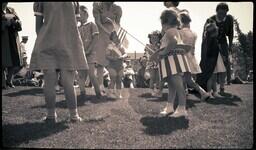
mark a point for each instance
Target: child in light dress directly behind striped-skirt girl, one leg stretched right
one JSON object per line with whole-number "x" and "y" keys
{"x": 189, "y": 38}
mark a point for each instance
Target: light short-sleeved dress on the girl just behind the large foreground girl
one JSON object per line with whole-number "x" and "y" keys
{"x": 87, "y": 31}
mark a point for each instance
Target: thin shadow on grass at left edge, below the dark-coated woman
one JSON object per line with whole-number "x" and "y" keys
{"x": 32, "y": 91}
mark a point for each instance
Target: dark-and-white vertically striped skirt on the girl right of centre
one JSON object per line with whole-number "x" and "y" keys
{"x": 173, "y": 64}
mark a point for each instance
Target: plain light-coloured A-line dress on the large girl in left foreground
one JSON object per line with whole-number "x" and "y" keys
{"x": 58, "y": 44}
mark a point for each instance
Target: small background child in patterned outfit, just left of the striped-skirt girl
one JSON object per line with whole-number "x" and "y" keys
{"x": 152, "y": 64}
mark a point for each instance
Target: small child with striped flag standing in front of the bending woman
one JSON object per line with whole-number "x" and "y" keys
{"x": 115, "y": 54}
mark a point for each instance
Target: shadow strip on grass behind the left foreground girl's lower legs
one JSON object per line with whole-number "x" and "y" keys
{"x": 81, "y": 100}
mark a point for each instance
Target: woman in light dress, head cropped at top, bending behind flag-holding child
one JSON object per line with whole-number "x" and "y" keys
{"x": 104, "y": 13}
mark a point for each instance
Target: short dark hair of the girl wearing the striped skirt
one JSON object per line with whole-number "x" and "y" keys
{"x": 170, "y": 17}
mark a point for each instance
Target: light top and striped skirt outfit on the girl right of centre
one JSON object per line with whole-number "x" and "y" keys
{"x": 176, "y": 61}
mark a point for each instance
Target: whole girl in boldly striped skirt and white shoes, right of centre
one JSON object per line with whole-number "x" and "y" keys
{"x": 173, "y": 63}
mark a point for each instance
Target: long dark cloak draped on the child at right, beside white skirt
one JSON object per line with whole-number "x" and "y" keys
{"x": 209, "y": 56}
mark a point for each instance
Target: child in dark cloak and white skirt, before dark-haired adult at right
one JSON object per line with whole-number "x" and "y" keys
{"x": 211, "y": 60}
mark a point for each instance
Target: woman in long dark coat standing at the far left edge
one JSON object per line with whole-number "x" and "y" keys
{"x": 11, "y": 54}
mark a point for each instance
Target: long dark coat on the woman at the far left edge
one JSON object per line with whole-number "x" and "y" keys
{"x": 11, "y": 53}
